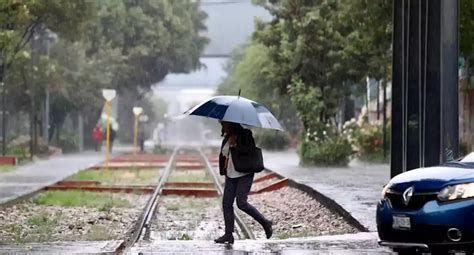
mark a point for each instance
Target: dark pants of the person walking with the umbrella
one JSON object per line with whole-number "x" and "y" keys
{"x": 239, "y": 188}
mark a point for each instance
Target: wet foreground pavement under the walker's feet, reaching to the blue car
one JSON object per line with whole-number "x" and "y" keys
{"x": 361, "y": 243}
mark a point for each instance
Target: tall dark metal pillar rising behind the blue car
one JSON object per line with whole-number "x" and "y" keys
{"x": 425, "y": 117}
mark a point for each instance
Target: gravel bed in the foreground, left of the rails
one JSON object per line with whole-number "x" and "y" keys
{"x": 28, "y": 222}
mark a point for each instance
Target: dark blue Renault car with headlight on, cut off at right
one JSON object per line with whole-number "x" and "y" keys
{"x": 429, "y": 209}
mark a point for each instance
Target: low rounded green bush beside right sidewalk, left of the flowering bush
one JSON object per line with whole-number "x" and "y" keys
{"x": 331, "y": 151}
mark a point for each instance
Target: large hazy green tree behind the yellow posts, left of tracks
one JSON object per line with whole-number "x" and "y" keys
{"x": 154, "y": 38}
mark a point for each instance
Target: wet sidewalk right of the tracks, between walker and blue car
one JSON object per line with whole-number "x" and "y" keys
{"x": 356, "y": 188}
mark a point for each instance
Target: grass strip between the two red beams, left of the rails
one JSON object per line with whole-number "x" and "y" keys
{"x": 117, "y": 176}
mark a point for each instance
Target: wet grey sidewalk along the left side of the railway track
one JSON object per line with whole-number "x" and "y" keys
{"x": 36, "y": 175}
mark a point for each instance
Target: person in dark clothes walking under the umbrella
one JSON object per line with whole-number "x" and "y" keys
{"x": 237, "y": 184}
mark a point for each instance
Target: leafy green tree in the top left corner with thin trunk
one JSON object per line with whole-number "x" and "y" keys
{"x": 21, "y": 20}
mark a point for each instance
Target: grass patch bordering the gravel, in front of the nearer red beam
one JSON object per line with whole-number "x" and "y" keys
{"x": 77, "y": 198}
